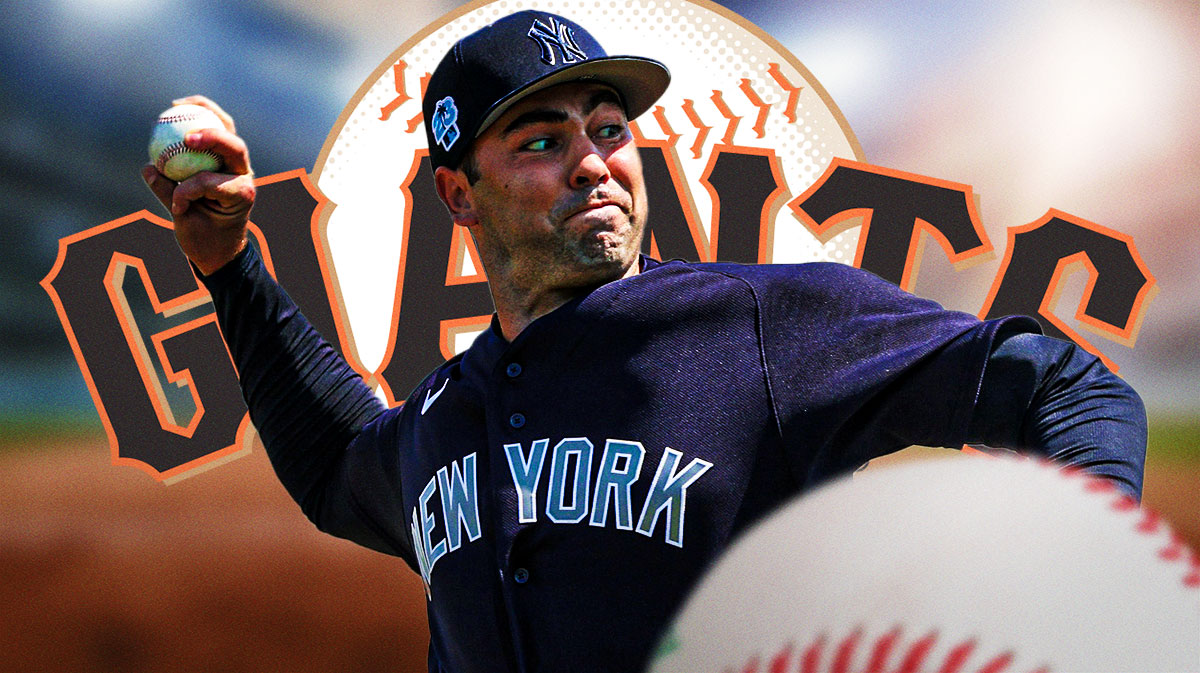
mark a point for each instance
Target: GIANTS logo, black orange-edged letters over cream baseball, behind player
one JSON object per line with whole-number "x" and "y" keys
{"x": 746, "y": 160}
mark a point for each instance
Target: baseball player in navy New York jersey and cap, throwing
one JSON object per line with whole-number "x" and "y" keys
{"x": 562, "y": 484}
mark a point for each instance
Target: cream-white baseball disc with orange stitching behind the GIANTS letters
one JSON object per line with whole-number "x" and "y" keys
{"x": 733, "y": 85}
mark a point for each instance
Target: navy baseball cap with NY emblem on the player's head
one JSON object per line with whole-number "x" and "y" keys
{"x": 490, "y": 70}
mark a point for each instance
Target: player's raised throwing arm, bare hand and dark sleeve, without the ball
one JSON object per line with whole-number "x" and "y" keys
{"x": 308, "y": 405}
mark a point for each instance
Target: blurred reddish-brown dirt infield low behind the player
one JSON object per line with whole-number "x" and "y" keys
{"x": 103, "y": 569}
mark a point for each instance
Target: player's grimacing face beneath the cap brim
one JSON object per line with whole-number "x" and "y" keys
{"x": 560, "y": 200}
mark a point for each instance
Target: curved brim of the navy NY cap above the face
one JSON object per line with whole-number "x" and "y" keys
{"x": 640, "y": 82}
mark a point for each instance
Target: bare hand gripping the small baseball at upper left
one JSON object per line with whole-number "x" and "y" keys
{"x": 211, "y": 209}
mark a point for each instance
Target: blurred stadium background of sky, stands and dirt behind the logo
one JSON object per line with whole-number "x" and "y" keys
{"x": 1082, "y": 106}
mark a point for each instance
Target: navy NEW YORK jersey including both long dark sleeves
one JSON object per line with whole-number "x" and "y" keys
{"x": 561, "y": 494}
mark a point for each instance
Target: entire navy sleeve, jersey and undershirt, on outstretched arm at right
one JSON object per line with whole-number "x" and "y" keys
{"x": 860, "y": 369}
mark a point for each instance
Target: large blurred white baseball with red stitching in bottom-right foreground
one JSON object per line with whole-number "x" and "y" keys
{"x": 967, "y": 566}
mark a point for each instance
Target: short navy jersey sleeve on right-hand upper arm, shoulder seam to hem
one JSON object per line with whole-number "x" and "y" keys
{"x": 860, "y": 369}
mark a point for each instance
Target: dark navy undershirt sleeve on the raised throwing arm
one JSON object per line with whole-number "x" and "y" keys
{"x": 310, "y": 408}
